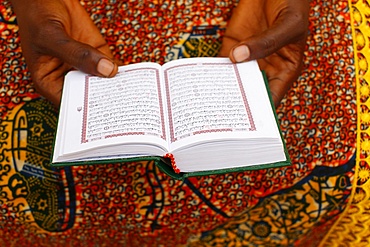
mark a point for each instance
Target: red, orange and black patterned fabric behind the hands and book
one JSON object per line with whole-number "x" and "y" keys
{"x": 318, "y": 200}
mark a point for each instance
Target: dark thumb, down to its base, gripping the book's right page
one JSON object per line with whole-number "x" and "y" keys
{"x": 290, "y": 26}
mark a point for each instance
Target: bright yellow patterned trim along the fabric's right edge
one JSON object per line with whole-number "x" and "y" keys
{"x": 352, "y": 226}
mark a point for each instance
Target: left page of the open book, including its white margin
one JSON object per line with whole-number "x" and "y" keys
{"x": 107, "y": 111}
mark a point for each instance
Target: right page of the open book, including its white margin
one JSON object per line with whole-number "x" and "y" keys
{"x": 208, "y": 100}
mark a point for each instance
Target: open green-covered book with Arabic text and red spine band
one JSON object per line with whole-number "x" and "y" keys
{"x": 207, "y": 115}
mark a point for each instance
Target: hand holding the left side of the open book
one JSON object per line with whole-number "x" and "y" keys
{"x": 56, "y": 37}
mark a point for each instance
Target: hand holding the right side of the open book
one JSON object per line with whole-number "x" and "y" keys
{"x": 273, "y": 32}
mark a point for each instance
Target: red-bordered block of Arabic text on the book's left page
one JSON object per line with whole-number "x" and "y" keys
{"x": 128, "y": 104}
